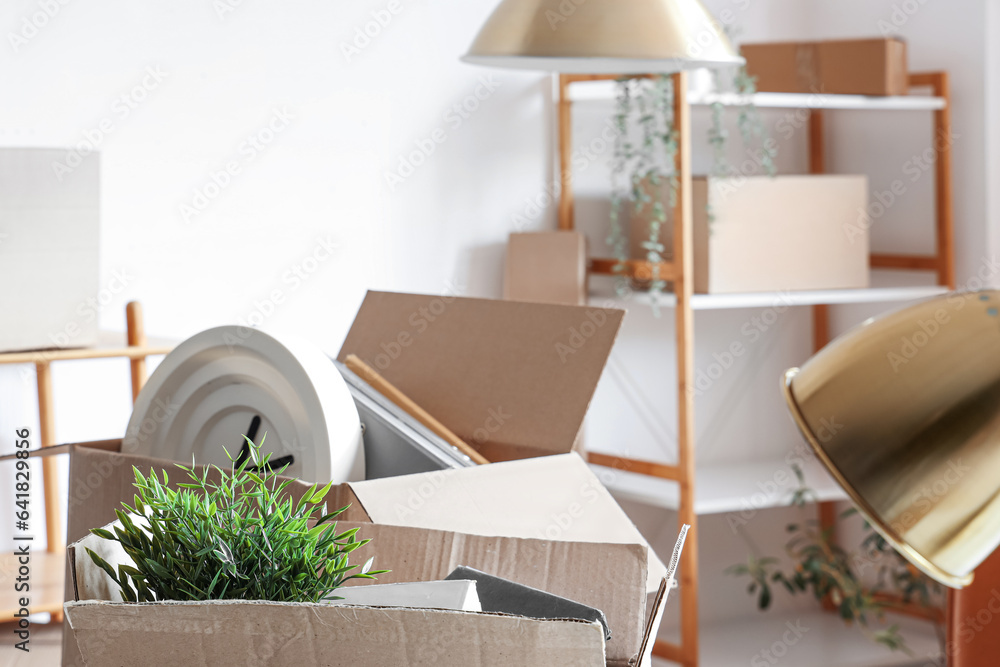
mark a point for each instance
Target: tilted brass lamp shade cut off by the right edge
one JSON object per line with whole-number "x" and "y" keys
{"x": 904, "y": 411}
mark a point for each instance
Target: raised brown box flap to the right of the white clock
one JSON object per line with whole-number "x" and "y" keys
{"x": 512, "y": 379}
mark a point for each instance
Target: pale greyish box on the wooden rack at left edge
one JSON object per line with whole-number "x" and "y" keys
{"x": 49, "y": 223}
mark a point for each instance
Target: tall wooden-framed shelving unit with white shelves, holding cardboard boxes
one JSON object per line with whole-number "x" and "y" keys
{"x": 682, "y": 486}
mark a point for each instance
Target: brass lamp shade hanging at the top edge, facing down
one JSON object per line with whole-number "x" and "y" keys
{"x": 602, "y": 37}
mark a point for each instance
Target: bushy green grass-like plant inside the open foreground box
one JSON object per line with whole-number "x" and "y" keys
{"x": 241, "y": 538}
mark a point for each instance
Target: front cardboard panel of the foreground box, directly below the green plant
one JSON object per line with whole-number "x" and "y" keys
{"x": 210, "y": 634}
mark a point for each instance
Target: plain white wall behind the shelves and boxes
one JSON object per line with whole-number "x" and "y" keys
{"x": 441, "y": 230}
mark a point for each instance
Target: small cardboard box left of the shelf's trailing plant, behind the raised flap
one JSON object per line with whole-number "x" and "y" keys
{"x": 546, "y": 267}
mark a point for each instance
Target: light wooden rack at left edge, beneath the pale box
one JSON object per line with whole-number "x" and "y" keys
{"x": 48, "y": 567}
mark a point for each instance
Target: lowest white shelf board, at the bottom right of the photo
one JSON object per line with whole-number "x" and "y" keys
{"x": 826, "y": 643}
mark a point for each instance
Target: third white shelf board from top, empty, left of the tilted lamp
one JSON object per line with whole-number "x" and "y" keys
{"x": 730, "y": 487}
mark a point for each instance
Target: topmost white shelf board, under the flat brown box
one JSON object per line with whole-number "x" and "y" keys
{"x": 604, "y": 91}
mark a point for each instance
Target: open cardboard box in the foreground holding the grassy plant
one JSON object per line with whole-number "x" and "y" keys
{"x": 566, "y": 536}
